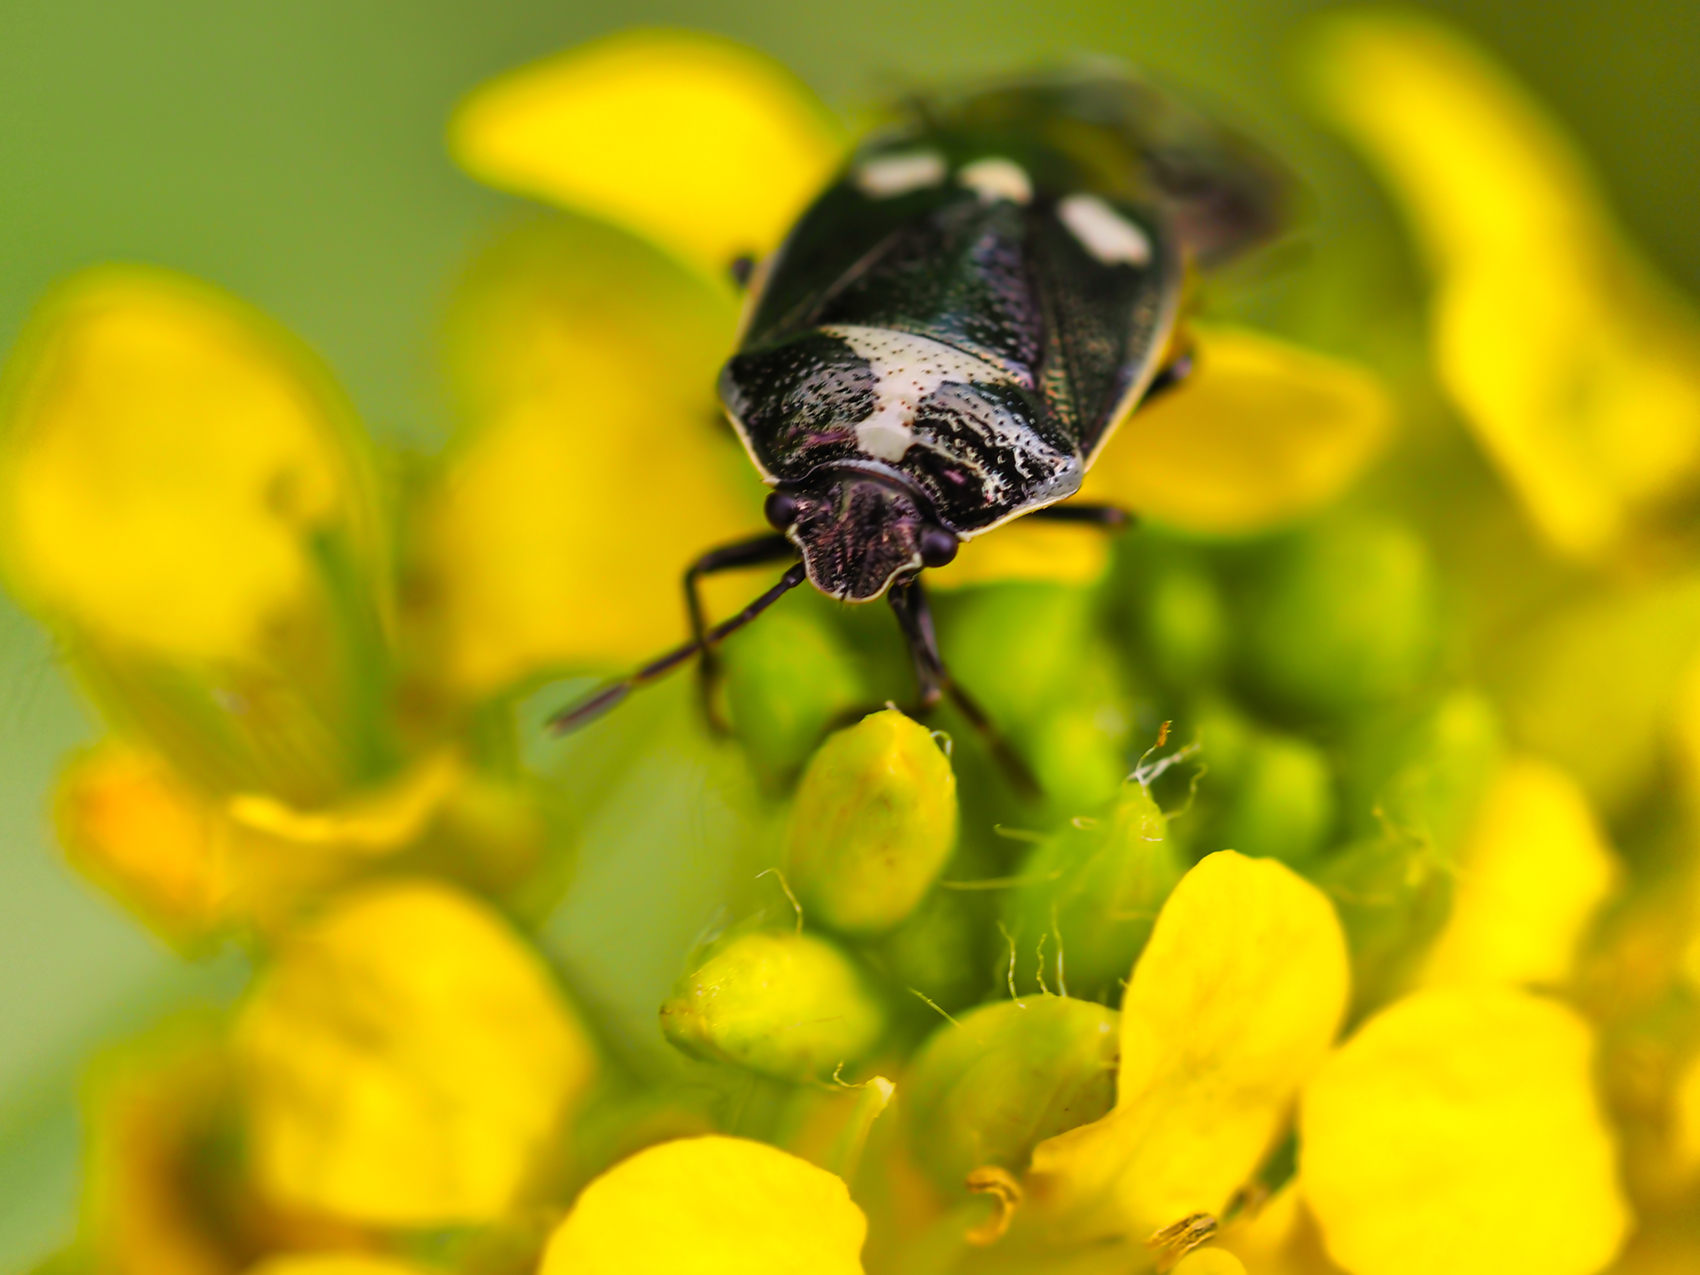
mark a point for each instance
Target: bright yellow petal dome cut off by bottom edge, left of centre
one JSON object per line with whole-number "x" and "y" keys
{"x": 711, "y": 1206}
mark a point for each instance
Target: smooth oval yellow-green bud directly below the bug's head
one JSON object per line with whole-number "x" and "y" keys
{"x": 873, "y": 825}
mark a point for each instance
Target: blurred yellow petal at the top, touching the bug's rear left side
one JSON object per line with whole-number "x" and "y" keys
{"x": 701, "y": 145}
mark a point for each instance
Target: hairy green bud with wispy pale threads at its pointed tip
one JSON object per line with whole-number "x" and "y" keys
{"x": 1091, "y": 895}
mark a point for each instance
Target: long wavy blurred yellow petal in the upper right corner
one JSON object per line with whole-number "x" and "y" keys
{"x": 1578, "y": 371}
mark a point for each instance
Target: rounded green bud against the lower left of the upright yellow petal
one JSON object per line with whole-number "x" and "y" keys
{"x": 989, "y": 1089}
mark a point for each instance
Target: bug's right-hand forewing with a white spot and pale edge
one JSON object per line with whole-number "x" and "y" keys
{"x": 1108, "y": 319}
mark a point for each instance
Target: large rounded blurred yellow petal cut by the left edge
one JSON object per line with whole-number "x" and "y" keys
{"x": 167, "y": 462}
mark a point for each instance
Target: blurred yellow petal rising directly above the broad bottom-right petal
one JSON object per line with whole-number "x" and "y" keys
{"x": 1533, "y": 875}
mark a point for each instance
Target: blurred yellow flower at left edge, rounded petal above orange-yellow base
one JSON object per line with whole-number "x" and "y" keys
{"x": 188, "y": 502}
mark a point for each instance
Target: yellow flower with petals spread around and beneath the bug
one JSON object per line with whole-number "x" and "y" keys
{"x": 591, "y": 463}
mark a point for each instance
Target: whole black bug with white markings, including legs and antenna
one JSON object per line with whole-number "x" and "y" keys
{"x": 955, "y": 329}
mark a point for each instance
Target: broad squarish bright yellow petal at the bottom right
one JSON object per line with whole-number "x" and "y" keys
{"x": 1459, "y": 1131}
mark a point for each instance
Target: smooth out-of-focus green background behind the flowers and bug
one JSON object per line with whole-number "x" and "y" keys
{"x": 292, "y": 152}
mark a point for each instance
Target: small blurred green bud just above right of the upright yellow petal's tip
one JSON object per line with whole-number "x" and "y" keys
{"x": 1283, "y": 805}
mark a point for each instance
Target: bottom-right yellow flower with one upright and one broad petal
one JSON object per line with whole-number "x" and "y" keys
{"x": 1436, "y": 1119}
